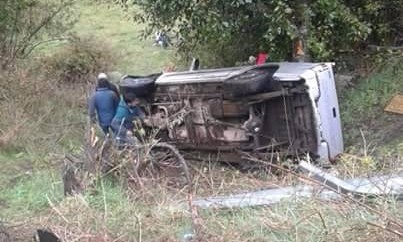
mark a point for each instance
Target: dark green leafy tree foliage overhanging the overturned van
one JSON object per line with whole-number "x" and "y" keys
{"x": 238, "y": 28}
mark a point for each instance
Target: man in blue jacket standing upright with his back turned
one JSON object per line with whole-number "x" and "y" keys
{"x": 103, "y": 103}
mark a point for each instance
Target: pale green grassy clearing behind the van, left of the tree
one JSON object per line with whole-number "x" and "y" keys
{"x": 111, "y": 24}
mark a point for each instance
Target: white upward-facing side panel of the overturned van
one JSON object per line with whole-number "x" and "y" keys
{"x": 288, "y": 71}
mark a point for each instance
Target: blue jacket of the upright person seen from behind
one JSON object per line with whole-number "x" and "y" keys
{"x": 104, "y": 101}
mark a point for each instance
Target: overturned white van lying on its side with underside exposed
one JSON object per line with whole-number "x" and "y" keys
{"x": 278, "y": 108}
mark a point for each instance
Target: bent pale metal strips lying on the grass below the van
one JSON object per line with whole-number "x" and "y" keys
{"x": 327, "y": 187}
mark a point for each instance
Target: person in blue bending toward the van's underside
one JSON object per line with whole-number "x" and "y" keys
{"x": 127, "y": 112}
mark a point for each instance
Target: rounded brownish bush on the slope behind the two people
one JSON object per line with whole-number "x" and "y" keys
{"x": 79, "y": 61}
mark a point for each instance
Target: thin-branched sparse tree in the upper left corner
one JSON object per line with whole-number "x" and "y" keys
{"x": 25, "y": 24}
